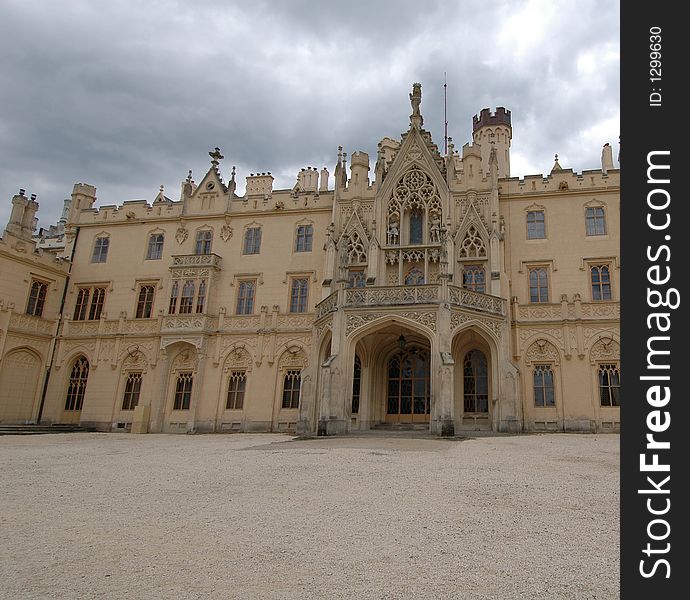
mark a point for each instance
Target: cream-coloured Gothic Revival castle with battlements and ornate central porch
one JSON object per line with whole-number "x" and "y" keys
{"x": 430, "y": 291}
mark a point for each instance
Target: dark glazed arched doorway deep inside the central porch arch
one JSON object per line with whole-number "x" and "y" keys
{"x": 408, "y": 386}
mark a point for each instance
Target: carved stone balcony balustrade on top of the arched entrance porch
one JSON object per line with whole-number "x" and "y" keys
{"x": 394, "y": 296}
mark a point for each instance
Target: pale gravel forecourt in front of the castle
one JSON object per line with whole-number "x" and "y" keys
{"x": 269, "y": 516}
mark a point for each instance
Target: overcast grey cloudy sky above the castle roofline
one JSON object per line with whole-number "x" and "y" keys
{"x": 128, "y": 95}
